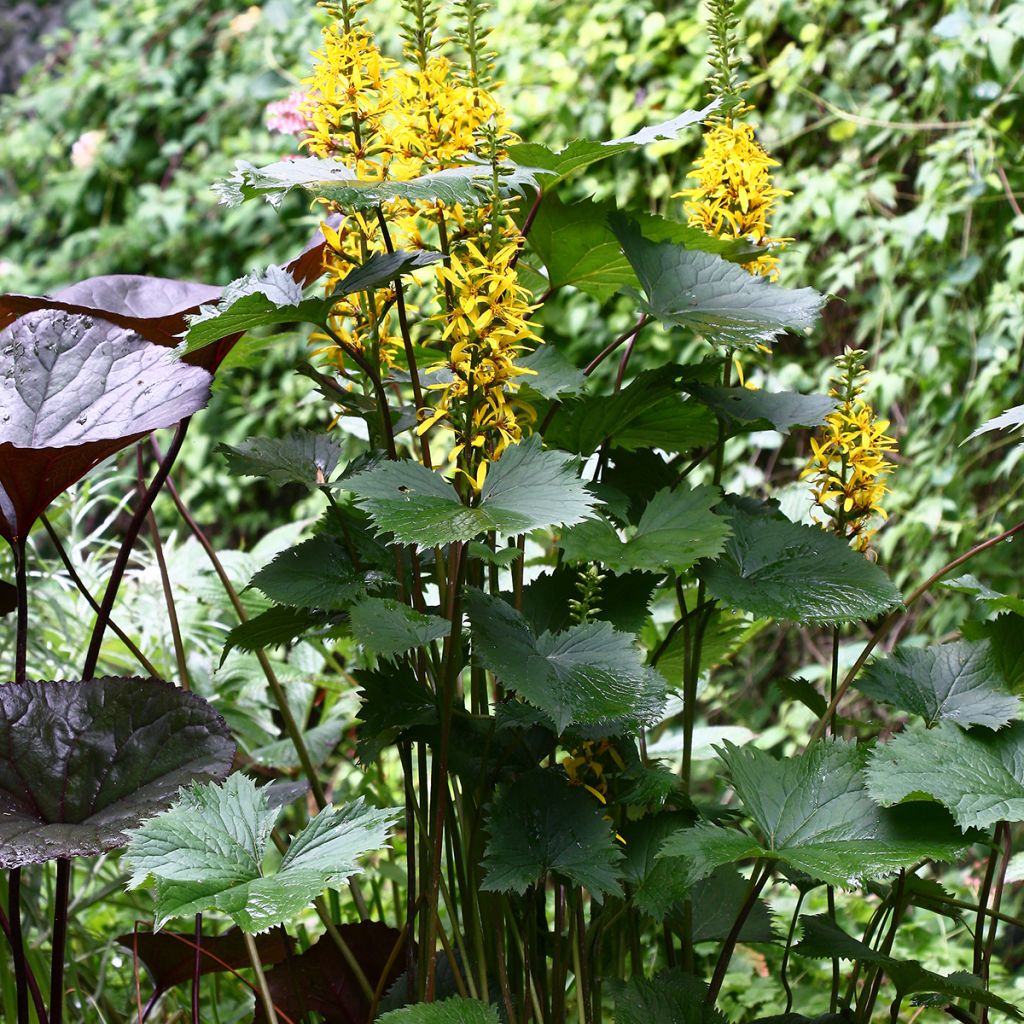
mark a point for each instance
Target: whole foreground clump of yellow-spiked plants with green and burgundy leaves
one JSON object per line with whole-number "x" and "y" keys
{"x": 480, "y": 688}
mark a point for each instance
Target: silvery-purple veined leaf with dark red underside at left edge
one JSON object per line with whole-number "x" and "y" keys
{"x": 73, "y": 391}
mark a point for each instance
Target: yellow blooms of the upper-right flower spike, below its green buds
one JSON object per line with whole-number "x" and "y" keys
{"x": 735, "y": 197}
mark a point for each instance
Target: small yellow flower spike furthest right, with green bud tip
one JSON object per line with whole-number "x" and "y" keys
{"x": 849, "y": 461}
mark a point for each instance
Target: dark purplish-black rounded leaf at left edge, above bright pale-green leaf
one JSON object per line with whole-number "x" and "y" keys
{"x": 81, "y": 761}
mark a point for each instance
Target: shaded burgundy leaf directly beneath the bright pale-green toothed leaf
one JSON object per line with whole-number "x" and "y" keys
{"x": 172, "y": 956}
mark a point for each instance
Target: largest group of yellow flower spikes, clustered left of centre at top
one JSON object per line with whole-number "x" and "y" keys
{"x": 389, "y": 121}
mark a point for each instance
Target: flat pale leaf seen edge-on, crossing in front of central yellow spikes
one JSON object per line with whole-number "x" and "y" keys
{"x": 330, "y": 180}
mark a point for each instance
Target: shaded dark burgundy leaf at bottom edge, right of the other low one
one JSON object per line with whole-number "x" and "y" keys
{"x": 321, "y": 982}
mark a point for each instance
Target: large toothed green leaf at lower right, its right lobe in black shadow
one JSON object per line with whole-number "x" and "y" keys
{"x": 814, "y": 813}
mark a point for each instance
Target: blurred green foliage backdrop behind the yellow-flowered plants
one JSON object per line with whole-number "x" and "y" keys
{"x": 899, "y": 127}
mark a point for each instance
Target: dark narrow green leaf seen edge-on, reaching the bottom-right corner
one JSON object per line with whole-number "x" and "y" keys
{"x": 825, "y": 941}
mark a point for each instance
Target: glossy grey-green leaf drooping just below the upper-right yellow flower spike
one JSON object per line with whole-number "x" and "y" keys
{"x": 719, "y": 301}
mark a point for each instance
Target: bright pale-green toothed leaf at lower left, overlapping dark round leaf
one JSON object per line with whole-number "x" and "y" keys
{"x": 207, "y": 851}
